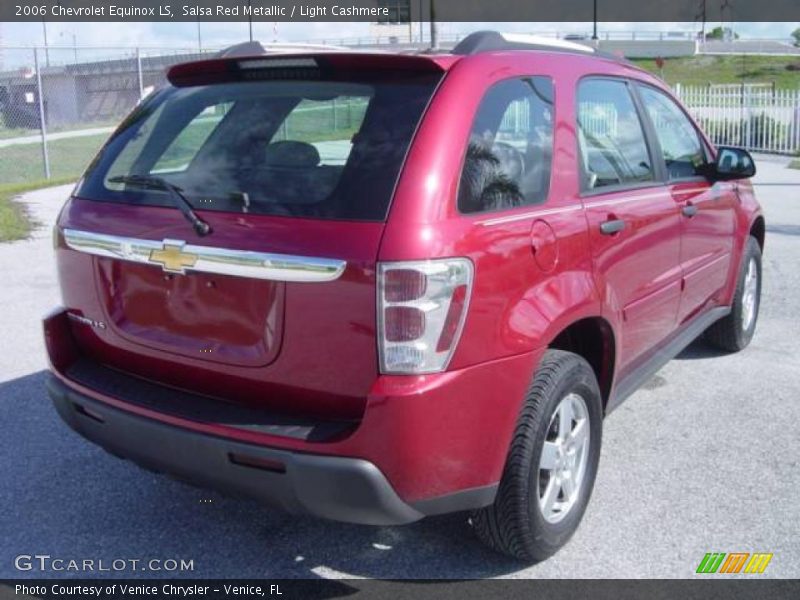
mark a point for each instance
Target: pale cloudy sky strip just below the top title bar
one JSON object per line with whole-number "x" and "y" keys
{"x": 184, "y": 35}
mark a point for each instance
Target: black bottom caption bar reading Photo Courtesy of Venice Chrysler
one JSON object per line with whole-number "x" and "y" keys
{"x": 319, "y": 589}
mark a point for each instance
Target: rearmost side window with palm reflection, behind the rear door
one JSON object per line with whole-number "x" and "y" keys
{"x": 510, "y": 147}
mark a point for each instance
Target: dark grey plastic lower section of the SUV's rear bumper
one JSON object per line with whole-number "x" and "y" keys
{"x": 332, "y": 487}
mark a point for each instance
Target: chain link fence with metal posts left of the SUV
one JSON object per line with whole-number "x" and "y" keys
{"x": 59, "y": 105}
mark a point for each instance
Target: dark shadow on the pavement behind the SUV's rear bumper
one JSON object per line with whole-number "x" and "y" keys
{"x": 72, "y": 499}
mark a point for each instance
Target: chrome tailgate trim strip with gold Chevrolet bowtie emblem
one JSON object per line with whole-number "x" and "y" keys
{"x": 207, "y": 259}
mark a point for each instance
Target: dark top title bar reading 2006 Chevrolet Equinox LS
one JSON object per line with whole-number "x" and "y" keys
{"x": 383, "y": 11}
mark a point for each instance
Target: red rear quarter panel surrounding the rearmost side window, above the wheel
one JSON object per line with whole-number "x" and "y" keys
{"x": 533, "y": 270}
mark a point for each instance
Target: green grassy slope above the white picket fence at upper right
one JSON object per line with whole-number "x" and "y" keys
{"x": 705, "y": 69}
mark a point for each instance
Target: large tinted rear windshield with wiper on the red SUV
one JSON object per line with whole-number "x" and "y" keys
{"x": 315, "y": 149}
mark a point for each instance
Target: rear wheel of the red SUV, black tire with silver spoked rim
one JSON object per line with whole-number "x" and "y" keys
{"x": 524, "y": 522}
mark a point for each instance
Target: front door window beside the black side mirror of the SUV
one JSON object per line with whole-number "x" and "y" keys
{"x": 680, "y": 144}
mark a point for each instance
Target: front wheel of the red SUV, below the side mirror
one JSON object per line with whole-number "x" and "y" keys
{"x": 734, "y": 332}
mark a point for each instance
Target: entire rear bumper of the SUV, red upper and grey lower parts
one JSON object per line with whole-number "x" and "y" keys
{"x": 425, "y": 445}
